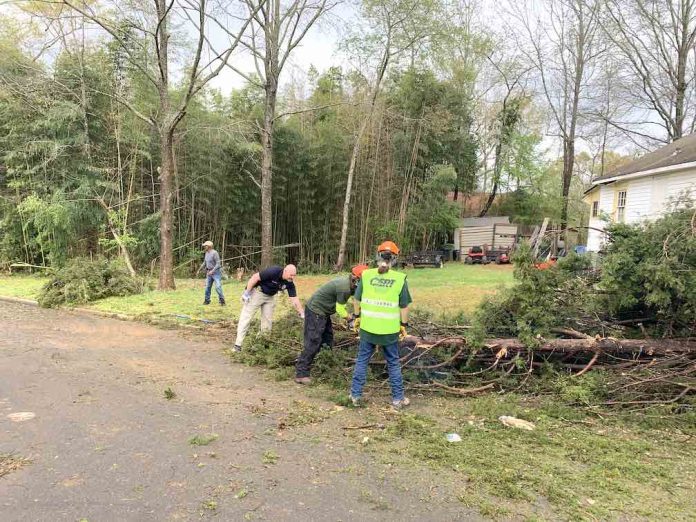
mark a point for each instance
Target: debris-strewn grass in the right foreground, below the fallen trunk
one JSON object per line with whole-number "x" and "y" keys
{"x": 573, "y": 466}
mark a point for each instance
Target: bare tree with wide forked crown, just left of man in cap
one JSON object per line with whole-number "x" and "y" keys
{"x": 145, "y": 30}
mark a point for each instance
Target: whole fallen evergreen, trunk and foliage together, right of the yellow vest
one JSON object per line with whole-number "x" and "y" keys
{"x": 631, "y": 315}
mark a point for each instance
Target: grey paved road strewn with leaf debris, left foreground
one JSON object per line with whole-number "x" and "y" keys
{"x": 106, "y": 445}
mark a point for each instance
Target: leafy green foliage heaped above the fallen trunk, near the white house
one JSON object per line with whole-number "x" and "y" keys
{"x": 649, "y": 270}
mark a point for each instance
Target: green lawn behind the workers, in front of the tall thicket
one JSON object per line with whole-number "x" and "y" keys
{"x": 456, "y": 288}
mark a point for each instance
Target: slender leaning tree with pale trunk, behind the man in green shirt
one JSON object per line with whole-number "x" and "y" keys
{"x": 396, "y": 27}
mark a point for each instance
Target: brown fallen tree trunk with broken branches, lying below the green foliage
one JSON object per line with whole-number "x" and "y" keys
{"x": 645, "y": 371}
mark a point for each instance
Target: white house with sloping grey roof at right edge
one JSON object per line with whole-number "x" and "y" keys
{"x": 643, "y": 189}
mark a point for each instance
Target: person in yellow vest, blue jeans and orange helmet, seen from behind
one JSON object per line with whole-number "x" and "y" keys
{"x": 381, "y": 305}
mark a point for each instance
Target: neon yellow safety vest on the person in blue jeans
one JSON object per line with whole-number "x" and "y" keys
{"x": 379, "y": 304}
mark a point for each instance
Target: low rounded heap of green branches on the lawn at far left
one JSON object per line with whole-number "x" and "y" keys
{"x": 84, "y": 280}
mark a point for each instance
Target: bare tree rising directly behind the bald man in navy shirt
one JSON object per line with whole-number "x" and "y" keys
{"x": 277, "y": 28}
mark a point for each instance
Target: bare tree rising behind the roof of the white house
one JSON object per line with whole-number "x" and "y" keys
{"x": 657, "y": 41}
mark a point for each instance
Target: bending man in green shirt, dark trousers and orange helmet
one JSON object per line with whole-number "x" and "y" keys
{"x": 329, "y": 299}
